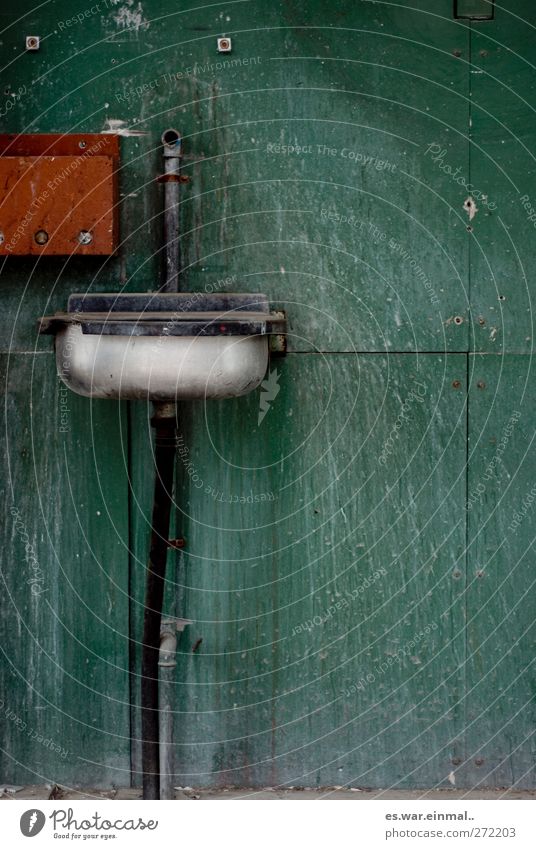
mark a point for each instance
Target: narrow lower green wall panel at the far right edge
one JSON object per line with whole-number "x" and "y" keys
{"x": 500, "y": 573}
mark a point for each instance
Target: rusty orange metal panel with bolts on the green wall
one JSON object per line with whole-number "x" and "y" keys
{"x": 59, "y": 194}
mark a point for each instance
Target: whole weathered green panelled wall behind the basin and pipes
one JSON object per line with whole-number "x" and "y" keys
{"x": 370, "y": 622}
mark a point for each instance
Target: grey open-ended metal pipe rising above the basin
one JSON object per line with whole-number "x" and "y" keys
{"x": 171, "y": 178}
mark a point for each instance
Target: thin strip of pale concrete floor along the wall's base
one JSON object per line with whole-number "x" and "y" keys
{"x": 60, "y": 792}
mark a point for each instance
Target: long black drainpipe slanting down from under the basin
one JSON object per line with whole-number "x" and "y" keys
{"x": 164, "y": 422}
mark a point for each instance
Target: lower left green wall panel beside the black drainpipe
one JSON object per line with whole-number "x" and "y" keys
{"x": 64, "y": 627}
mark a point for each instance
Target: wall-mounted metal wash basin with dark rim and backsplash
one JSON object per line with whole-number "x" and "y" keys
{"x": 163, "y": 347}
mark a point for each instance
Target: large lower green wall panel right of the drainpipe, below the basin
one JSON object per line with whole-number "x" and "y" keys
{"x": 271, "y": 694}
